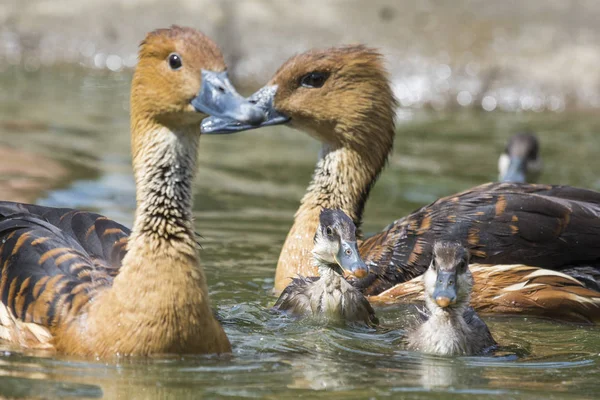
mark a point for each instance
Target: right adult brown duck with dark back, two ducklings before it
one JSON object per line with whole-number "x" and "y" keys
{"x": 342, "y": 97}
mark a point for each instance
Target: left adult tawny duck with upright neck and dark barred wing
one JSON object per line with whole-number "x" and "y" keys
{"x": 82, "y": 284}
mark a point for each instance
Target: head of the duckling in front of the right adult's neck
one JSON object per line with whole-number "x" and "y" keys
{"x": 335, "y": 244}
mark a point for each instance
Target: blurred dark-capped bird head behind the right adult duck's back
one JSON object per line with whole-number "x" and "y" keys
{"x": 520, "y": 162}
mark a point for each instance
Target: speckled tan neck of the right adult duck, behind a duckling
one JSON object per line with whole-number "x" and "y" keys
{"x": 343, "y": 178}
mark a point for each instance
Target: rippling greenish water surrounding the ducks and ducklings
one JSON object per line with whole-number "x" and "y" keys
{"x": 247, "y": 189}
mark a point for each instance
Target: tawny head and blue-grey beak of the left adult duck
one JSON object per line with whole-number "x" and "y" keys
{"x": 181, "y": 78}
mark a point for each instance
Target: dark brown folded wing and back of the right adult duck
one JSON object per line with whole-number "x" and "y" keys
{"x": 546, "y": 226}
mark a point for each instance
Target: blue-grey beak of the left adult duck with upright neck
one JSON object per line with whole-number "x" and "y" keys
{"x": 218, "y": 97}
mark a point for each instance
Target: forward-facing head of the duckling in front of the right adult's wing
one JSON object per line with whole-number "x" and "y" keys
{"x": 448, "y": 281}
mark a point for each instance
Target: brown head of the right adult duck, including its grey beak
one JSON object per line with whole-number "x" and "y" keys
{"x": 339, "y": 95}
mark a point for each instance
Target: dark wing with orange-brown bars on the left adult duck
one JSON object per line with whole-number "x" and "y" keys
{"x": 54, "y": 260}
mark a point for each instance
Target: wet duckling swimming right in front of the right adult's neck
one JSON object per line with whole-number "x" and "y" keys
{"x": 329, "y": 295}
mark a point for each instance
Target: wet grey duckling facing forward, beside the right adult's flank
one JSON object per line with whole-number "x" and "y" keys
{"x": 452, "y": 327}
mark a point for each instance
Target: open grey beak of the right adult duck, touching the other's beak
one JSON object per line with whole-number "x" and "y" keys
{"x": 263, "y": 99}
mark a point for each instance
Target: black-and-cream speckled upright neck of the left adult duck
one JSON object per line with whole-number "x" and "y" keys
{"x": 164, "y": 163}
